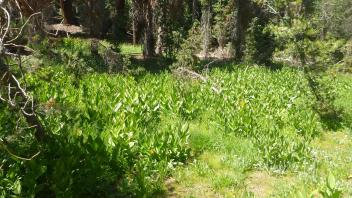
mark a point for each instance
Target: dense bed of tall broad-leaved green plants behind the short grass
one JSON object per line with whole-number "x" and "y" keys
{"x": 133, "y": 131}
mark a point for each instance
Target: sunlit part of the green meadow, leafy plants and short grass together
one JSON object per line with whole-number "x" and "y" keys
{"x": 258, "y": 137}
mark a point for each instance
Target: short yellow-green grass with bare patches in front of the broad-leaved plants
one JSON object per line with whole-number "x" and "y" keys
{"x": 221, "y": 167}
